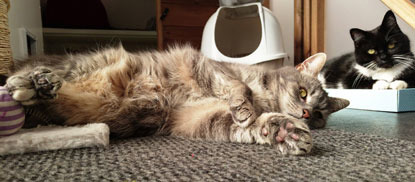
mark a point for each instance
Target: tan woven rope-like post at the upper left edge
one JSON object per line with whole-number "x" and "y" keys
{"x": 6, "y": 61}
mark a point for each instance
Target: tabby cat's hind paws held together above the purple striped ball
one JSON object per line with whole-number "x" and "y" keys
{"x": 40, "y": 83}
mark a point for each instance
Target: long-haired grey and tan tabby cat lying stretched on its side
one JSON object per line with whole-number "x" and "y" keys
{"x": 178, "y": 92}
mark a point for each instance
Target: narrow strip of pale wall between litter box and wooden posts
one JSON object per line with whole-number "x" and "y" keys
{"x": 284, "y": 11}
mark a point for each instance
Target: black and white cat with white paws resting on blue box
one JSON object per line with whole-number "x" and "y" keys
{"x": 382, "y": 60}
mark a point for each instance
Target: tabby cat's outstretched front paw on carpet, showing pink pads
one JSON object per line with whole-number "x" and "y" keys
{"x": 289, "y": 135}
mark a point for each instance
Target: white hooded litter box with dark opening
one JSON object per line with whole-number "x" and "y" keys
{"x": 247, "y": 34}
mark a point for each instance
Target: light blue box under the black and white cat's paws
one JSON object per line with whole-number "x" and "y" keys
{"x": 377, "y": 100}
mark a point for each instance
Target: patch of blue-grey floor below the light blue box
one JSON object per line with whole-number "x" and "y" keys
{"x": 393, "y": 125}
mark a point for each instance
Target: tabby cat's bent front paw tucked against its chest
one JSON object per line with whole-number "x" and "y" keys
{"x": 243, "y": 113}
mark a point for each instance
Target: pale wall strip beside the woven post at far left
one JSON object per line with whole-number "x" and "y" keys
{"x": 24, "y": 14}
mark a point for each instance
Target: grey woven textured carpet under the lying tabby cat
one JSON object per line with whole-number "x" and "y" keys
{"x": 337, "y": 156}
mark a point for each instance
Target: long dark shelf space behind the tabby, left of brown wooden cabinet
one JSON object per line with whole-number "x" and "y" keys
{"x": 62, "y": 41}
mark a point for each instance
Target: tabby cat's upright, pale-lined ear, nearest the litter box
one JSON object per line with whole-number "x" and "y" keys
{"x": 313, "y": 64}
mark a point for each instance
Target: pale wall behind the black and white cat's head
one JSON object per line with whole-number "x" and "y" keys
{"x": 342, "y": 15}
